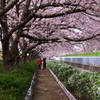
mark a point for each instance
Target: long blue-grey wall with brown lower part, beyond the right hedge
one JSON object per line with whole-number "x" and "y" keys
{"x": 87, "y": 63}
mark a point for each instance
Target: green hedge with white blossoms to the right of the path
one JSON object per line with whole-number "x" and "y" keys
{"x": 83, "y": 85}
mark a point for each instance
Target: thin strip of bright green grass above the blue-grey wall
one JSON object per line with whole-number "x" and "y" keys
{"x": 84, "y": 54}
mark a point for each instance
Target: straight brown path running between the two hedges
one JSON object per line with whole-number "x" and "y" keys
{"x": 47, "y": 88}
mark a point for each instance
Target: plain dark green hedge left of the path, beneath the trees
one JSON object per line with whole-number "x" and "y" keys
{"x": 14, "y": 84}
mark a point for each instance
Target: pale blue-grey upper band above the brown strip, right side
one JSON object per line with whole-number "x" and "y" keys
{"x": 84, "y": 60}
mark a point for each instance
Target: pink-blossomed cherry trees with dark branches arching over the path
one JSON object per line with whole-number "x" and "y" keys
{"x": 34, "y": 28}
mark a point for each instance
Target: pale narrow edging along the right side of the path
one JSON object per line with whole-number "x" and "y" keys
{"x": 70, "y": 96}
